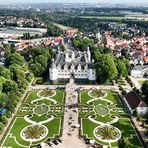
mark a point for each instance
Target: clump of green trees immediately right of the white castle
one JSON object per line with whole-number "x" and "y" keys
{"x": 108, "y": 67}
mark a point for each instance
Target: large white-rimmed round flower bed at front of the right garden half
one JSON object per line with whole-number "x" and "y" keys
{"x": 107, "y": 133}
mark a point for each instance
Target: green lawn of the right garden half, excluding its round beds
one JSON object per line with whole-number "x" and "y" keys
{"x": 115, "y": 109}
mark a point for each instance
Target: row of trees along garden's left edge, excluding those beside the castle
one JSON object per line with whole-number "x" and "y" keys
{"x": 14, "y": 79}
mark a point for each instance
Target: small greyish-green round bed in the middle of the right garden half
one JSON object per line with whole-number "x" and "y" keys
{"x": 101, "y": 110}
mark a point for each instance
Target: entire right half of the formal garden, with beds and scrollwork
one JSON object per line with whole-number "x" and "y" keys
{"x": 104, "y": 119}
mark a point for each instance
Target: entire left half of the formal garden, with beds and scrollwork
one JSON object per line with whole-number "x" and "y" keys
{"x": 42, "y": 108}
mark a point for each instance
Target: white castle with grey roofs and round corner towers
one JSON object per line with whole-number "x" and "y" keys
{"x": 74, "y": 64}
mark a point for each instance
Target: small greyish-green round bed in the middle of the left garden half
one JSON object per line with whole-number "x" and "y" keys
{"x": 41, "y": 109}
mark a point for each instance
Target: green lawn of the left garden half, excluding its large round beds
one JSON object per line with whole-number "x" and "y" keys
{"x": 13, "y": 137}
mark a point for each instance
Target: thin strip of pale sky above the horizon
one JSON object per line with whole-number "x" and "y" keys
{"x": 67, "y": 1}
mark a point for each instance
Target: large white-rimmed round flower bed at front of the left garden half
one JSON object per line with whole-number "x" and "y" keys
{"x": 34, "y": 132}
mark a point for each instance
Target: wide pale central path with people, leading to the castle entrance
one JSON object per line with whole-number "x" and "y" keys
{"x": 70, "y": 135}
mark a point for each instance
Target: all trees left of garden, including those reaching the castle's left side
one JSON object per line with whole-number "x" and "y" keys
{"x": 17, "y": 73}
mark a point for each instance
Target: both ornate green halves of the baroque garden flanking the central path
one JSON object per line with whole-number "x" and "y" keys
{"x": 102, "y": 118}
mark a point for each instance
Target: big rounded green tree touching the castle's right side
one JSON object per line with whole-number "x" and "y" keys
{"x": 105, "y": 68}
